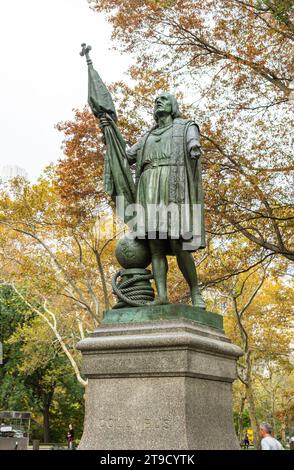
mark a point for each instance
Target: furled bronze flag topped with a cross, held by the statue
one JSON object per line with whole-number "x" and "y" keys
{"x": 118, "y": 179}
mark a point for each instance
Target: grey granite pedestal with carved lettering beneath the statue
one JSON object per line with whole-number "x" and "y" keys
{"x": 159, "y": 385}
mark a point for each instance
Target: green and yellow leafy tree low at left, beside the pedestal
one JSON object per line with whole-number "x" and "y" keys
{"x": 36, "y": 375}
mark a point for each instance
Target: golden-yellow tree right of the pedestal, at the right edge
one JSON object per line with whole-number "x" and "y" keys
{"x": 259, "y": 318}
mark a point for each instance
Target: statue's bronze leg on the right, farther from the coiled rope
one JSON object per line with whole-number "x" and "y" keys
{"x": 187, "y": 266}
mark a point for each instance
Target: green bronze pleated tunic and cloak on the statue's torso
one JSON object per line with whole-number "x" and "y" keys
{"x": 168, "y": 175}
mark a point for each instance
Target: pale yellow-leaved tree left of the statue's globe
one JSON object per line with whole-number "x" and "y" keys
{"x": 58, "y": 262}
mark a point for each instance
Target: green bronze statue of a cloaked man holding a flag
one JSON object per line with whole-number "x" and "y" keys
{"x": 167, "y": 187}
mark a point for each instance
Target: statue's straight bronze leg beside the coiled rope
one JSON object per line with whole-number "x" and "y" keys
{"x": 160, "y": 268}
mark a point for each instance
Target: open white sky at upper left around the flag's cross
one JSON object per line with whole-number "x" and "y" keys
{"x": 43, "y": 77}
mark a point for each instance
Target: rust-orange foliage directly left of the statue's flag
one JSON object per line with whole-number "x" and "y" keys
{"x": 78, "y": 174}
